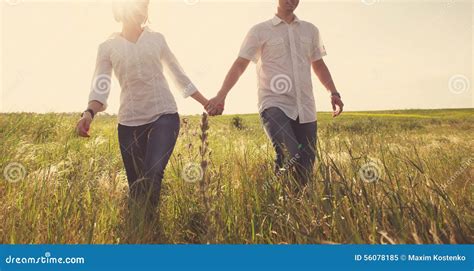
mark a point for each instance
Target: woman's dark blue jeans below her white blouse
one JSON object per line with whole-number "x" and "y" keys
{"x": 146, "y": 150}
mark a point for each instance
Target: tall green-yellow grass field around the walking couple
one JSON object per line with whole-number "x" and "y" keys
{"x": 381, "y": 177}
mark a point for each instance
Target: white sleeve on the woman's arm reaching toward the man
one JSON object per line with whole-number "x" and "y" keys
{"x": 181, "y": 80}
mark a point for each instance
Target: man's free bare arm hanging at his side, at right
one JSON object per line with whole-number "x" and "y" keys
{"x": 324, "y": 76}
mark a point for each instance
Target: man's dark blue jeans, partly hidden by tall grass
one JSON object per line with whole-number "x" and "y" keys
{"x": 294, "y": 143}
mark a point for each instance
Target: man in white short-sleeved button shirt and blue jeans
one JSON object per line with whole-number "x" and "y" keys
{"x": 284, "y": 49}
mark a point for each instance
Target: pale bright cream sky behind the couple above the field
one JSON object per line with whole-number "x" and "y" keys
{"x": 382, "y": 54}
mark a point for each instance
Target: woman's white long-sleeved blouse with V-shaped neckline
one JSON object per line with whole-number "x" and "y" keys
{"x": 145, "y": 94}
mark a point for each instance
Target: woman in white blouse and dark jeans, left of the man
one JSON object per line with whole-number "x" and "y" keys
{"x": 148, "y": 120}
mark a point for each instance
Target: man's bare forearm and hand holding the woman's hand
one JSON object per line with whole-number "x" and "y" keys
{"x": 216, "y": 104}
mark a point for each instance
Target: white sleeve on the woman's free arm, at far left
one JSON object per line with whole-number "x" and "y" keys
{"x": 102, "y": 79}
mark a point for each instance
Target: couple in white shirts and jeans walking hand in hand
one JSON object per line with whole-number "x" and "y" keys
{"x": 284, "y": 49}
